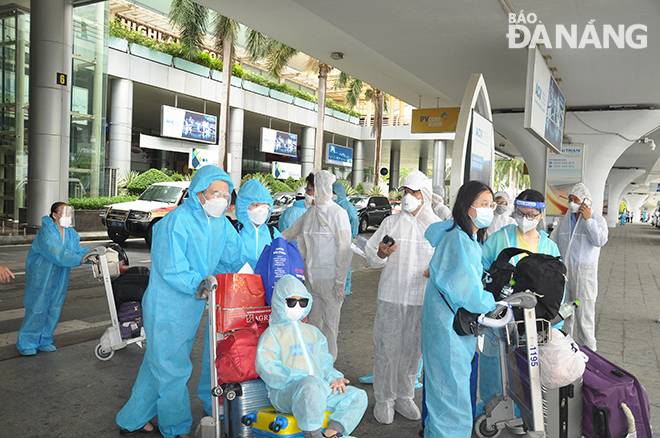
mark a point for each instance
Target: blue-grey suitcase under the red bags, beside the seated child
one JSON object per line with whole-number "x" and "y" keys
{"x": 241, "y": 399}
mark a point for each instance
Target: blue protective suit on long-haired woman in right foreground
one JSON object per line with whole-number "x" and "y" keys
{"x": 455, "y": 272}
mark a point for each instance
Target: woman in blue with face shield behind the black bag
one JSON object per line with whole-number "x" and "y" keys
{"x": 529, "y": 210}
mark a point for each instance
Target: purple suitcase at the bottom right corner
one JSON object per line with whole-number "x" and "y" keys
{"x": 605, "y": 387}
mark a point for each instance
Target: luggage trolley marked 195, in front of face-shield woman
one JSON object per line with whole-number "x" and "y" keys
{"x": 519, "y": 367}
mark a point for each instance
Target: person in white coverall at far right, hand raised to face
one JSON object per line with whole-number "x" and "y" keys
{"x": 579, "y": 236}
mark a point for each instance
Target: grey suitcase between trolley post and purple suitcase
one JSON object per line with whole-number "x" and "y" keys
{"x": 562, "y": 410}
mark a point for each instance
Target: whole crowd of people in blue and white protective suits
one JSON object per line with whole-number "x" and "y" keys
{"x": 431, "y": 258}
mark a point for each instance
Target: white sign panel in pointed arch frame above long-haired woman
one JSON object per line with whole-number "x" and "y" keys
{"x": 482, "y": 147}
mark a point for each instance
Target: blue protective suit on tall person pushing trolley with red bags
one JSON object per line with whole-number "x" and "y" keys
{"x": 187, "y": 246}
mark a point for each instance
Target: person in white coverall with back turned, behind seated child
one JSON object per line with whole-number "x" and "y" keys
{"x": 323, "y": 235}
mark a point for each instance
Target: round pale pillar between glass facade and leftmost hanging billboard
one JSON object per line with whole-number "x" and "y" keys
{"x": 121, "y": 124}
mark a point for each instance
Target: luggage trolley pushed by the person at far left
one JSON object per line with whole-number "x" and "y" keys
{"x": 109, "y": 264}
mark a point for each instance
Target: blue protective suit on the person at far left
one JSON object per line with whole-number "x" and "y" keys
{"x": 47, "y": 270}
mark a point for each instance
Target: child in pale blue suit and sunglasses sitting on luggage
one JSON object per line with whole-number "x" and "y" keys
{"x": 294, "y": 362}
